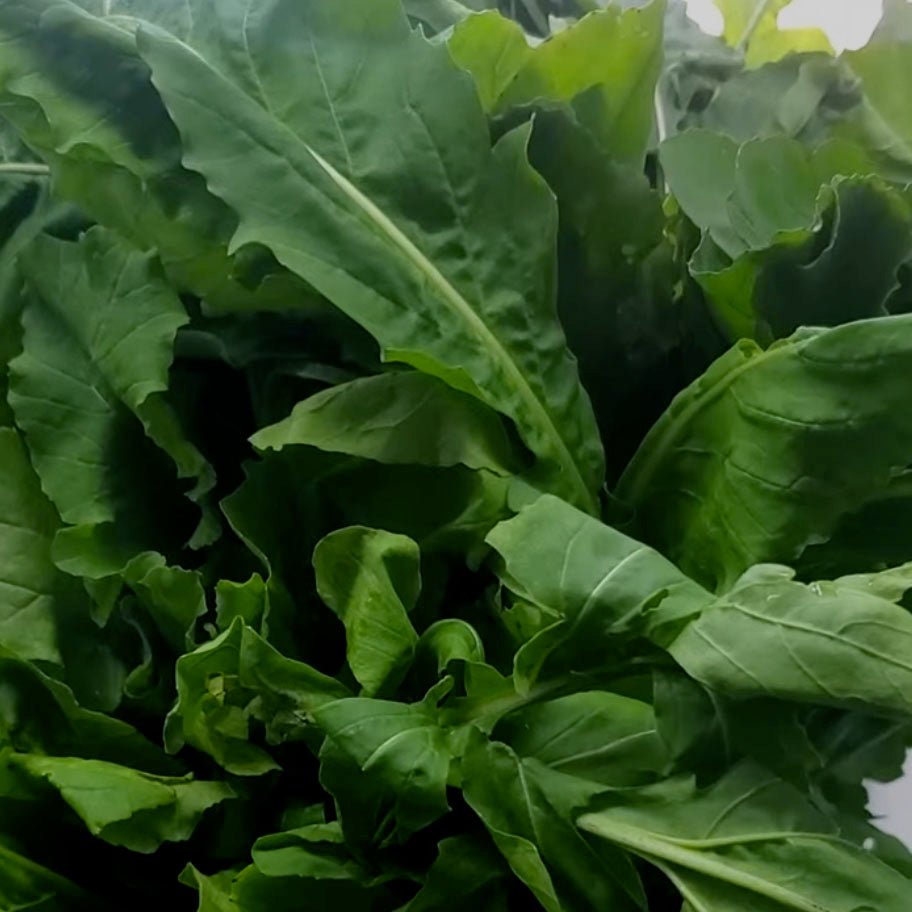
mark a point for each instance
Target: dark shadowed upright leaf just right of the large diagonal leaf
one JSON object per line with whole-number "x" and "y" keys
{"x": 610, "y": 226}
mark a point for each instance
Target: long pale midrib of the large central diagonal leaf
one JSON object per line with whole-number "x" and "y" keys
{"x": 457, "y": 303}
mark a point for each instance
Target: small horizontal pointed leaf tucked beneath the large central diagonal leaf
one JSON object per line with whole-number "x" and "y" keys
{"x": 400, "y": 417}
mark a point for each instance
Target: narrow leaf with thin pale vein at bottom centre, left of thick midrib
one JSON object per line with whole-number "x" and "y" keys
{"x": 525, "y": 814}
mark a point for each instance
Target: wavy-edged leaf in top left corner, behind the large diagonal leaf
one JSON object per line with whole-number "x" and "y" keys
{"x": 109, "y": 142}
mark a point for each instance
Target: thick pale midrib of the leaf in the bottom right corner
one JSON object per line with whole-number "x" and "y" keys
{"x": 649, "y": 844}
